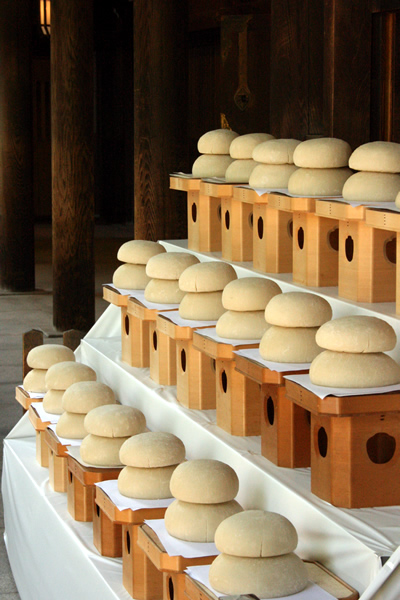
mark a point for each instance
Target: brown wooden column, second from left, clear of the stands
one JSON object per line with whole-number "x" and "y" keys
{"x": 72, "y": 163}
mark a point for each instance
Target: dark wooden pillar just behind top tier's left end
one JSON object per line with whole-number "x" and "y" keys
{"x": 160, "y": 108}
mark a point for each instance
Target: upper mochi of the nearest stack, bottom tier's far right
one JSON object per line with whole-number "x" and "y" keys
{"x": 256, "y": 533}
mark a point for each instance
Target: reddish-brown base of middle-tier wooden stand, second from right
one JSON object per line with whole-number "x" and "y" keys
{"x": 285, "y": 429}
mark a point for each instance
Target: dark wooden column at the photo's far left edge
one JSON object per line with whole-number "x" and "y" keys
{"x": 17, "y": 257}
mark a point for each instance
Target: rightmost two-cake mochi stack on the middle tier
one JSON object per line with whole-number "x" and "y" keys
{"x": 354, "y": 354}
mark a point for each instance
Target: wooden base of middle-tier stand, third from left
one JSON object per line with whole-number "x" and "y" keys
{"x": 195, "y": 377}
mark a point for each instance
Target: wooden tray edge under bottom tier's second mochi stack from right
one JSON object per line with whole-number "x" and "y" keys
{"x": 150, "y": 543}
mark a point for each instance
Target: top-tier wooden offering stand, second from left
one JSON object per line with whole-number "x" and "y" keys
{"x": 236, "y": 222}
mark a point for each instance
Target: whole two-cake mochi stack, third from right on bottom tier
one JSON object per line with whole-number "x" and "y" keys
{"x": 150, "y": 460}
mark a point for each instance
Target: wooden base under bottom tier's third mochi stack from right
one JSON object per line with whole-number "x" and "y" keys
{"x": 140, "y": 577}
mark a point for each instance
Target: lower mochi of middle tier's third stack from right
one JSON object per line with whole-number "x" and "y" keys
{"x": 242, "y": 325}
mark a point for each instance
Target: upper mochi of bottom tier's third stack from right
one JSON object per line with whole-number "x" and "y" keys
{"x": 152, "y": 449}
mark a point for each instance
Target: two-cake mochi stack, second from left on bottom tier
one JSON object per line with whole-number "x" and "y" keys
{"x": 59, "y": 378}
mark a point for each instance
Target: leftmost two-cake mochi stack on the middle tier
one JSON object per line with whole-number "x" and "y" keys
{"x": 135, "y": 254}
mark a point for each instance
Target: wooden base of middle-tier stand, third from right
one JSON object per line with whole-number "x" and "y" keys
{"x": 238, "y": 401}
